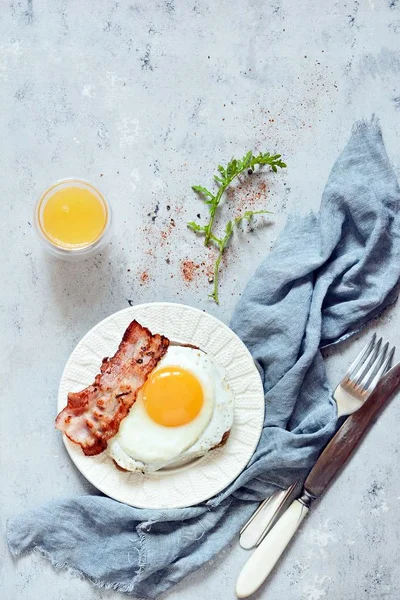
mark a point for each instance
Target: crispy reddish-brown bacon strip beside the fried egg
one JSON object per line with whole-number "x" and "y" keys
{"x": 93, "y": 415}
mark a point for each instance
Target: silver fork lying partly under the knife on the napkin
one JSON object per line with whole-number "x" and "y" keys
{"x": 355, "y": 387}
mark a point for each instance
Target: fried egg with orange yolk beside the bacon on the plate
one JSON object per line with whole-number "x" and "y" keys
{"x": 182, "y": 411}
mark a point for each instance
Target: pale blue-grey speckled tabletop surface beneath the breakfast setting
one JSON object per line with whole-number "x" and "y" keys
{"x": 144, "y": 99}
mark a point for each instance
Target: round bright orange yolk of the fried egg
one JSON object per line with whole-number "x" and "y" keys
{"x": 172, "y": 396}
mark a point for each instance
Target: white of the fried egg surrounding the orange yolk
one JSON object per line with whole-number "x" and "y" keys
{"x": 142, "y": 444}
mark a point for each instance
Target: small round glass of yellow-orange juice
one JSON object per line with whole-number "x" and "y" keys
{"x": 73, "y": 219}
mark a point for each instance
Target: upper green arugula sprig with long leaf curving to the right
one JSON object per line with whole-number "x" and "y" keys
{"x": 224, "y": 178}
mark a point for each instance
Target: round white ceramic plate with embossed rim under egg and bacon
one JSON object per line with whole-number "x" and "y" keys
{"x": 206, "y": 476}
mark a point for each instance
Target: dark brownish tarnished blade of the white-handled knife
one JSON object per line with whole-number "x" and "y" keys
{"x": 346, "y": 439}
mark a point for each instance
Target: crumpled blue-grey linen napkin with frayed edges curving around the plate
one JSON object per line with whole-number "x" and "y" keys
{"x": 328, "y": 274}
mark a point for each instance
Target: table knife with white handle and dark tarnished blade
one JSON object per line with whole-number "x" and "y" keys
{"x": 330, "y": 462}
